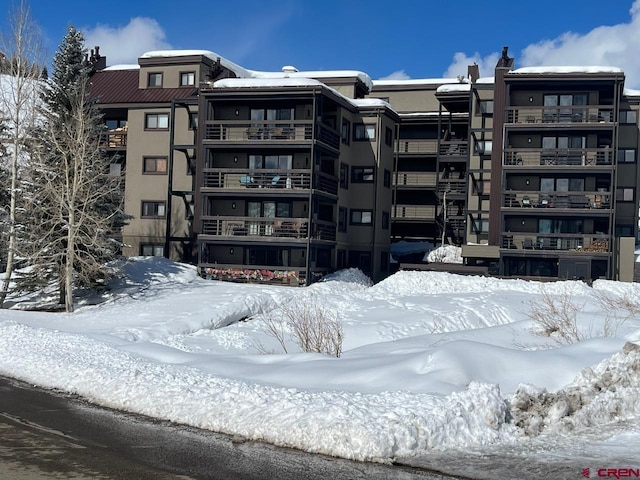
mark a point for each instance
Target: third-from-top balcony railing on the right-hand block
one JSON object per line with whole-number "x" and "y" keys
{"x": 557, "y": 200}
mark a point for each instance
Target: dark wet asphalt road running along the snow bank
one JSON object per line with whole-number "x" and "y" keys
{"x": 49, "y": 435}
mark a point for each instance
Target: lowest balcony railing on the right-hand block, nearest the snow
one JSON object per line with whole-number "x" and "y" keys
{"x": 579, "y": 243}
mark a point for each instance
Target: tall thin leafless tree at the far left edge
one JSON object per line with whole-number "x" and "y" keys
{"x": 19, "y": 77}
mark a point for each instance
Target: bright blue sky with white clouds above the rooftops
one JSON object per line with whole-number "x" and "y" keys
{"x": 403, "y": 38}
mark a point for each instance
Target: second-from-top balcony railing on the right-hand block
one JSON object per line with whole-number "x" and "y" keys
{"x": 574, "y": 157}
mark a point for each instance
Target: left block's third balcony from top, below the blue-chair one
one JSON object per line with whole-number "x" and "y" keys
{"x": 275, "y": 229}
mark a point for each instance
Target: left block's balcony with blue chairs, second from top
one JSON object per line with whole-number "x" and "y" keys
{"x": 243, "y": 179}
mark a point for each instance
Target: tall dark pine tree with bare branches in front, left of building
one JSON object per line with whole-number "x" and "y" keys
{"x": 76, "y": 201}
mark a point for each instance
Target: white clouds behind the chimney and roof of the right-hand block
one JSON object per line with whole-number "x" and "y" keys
{"x": 616, "y": 45}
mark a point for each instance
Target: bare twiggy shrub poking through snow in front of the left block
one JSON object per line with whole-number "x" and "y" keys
{"x": 313, "y": 327}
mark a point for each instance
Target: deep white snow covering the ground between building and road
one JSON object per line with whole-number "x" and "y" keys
{"x": 431, "y": 362}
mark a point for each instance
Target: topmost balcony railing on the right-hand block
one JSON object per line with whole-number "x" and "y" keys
{"x": 593, "y": 114}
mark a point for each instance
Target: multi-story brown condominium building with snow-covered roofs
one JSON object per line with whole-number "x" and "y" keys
{"x": 286, "y": 176}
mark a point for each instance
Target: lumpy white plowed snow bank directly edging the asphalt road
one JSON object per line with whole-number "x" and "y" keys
{"x": 373, "y": 427}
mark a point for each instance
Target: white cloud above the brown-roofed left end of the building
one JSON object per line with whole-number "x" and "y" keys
{"x": 125, "y": 44}
